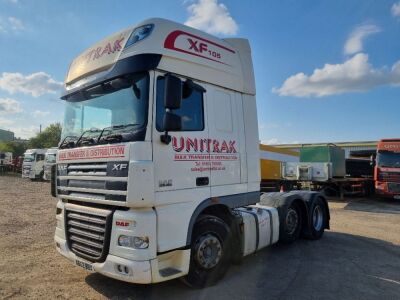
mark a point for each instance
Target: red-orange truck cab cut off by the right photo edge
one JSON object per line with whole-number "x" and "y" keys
{"x": 387, "y": 168}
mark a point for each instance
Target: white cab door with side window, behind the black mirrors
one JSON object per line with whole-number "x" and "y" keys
{"x": 184, "y": 163}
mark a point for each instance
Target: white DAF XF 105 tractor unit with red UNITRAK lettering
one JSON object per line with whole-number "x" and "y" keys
{"x": 158, "y": 168}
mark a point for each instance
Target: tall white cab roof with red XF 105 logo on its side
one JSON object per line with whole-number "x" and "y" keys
{"x": 184, "y": 50}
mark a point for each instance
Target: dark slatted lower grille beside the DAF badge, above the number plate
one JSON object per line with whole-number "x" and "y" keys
{"x": 88, "y": 233}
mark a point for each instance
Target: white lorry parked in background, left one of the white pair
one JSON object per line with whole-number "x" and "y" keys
{"x": 32, "y": 165}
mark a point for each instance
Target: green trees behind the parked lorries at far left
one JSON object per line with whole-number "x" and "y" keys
{"x": 49, "y": 137}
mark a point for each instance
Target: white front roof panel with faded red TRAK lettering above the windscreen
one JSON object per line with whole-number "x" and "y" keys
{"x": 99, "y": 57}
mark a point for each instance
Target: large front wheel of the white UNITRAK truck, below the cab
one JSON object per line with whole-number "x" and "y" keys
{"x": 210, "y": 252}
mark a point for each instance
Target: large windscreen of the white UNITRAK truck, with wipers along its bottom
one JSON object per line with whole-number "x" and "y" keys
{"x": 119, "y": 105}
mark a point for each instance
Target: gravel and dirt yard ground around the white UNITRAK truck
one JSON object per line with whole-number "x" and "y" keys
{"x": 359, "y": 258}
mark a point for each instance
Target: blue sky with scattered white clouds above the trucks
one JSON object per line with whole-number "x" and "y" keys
{"x": 326, "y": 71}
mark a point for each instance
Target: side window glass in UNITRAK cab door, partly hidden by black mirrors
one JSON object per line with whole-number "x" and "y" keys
{"x": 191, "y": 111}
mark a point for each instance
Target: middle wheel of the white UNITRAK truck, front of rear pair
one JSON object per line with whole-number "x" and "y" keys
{"x": 291, "y": 224}
